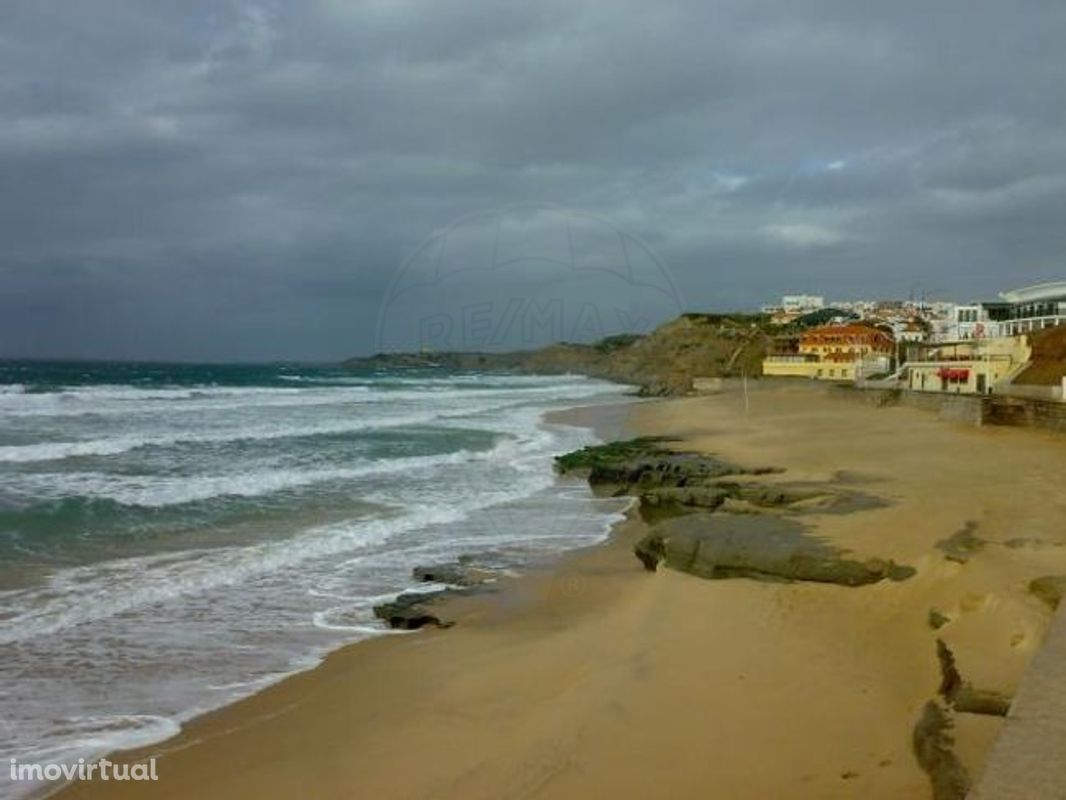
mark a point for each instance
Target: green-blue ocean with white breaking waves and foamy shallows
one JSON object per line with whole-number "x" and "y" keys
{"x": 176, "y": 537}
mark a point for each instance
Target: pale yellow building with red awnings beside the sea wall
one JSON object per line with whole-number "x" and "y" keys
{"x": 973, "y": 367}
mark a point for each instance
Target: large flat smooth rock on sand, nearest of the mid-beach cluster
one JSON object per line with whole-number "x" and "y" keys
{"x": 758, "y": 548}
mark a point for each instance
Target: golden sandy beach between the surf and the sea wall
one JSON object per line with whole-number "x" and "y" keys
{"x": 596, "y": 679}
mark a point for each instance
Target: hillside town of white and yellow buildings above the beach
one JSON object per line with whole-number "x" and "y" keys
{"x": 1014, "y": 346}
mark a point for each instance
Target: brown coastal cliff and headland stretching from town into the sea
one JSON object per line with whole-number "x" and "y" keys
{"x": 665, "y": 362}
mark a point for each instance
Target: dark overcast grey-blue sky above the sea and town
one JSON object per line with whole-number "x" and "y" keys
{"x": 262, "y": 180}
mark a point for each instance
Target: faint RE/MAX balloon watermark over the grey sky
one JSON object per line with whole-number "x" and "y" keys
{"x": 521, "y": 278}
